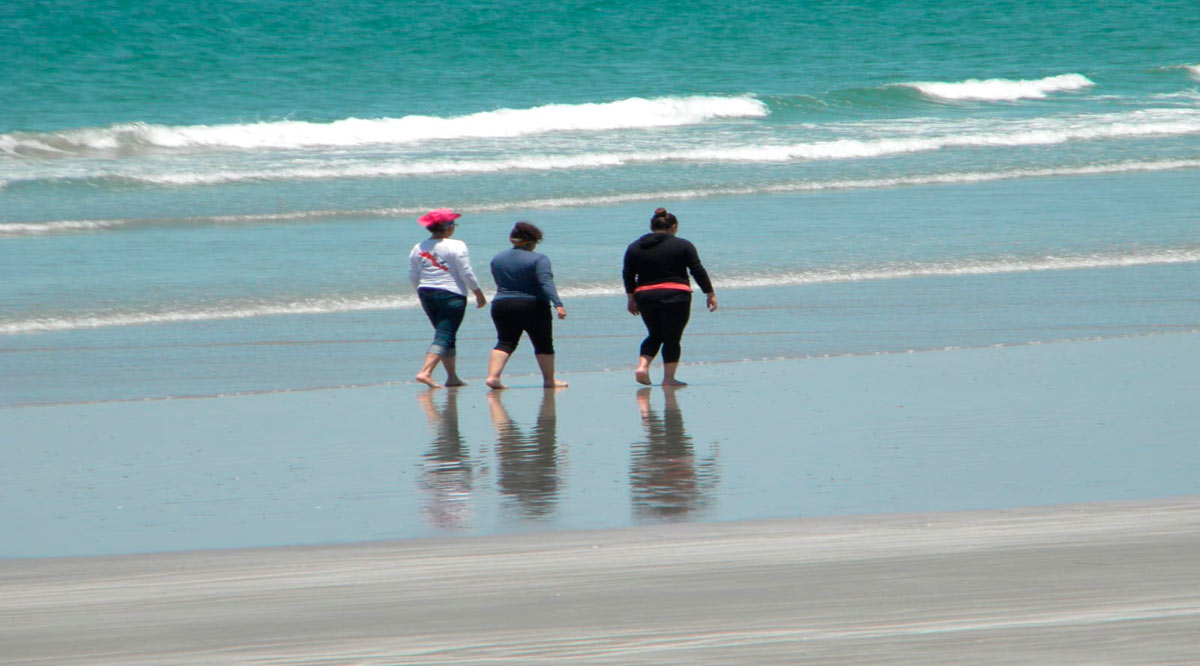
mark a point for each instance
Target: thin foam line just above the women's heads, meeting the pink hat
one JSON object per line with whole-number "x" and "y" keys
{"x": 16, "y": 230}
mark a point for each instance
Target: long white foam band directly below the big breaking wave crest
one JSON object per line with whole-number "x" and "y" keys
{"x": 887, "y": 141}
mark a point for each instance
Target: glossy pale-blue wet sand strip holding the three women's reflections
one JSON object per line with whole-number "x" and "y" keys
{"x": 937, "y": 431}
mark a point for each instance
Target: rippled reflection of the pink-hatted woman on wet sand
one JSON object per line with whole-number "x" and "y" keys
{"x": 448, "y": 476}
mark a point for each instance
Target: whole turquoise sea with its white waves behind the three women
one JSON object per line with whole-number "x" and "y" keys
{"x": 220, "y": 199}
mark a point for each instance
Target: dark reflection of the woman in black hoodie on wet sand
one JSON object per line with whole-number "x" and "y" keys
{"x": 668, "y": 482}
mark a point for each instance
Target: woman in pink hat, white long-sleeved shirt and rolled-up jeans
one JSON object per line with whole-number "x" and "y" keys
{"x": 440, "y": 271}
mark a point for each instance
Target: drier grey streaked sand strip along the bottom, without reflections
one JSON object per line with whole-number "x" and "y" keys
{"x": 1095, "y": 584}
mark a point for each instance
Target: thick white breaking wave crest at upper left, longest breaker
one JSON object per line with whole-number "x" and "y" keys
{"x": 632, "y": 113}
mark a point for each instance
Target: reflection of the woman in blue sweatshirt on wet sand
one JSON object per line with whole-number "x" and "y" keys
{"x": 530, "y": 477}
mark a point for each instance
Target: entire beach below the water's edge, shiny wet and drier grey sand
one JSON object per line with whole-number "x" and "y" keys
{"x": 1045, "y": 515}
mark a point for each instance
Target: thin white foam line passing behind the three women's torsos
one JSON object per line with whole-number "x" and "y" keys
{"x": 337, "y": 305}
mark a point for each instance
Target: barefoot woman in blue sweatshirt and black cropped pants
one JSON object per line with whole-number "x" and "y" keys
{"x": 525, "y": 292}
